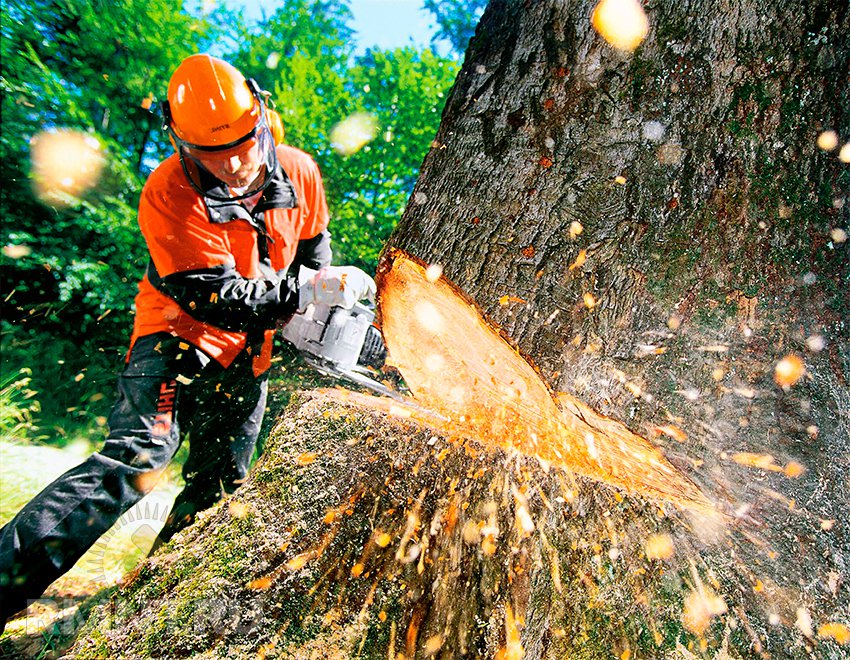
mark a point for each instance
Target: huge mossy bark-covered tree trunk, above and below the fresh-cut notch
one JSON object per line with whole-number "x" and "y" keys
{"x": 656, "y": 231}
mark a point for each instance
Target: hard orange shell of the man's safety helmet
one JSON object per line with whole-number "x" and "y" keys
{"x": 210, "y": 102}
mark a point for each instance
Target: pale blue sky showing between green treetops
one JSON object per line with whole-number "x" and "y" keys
{"x": 382, "y": 23}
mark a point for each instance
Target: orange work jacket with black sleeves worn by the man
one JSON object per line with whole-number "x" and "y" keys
{"x": 217, "y": 276}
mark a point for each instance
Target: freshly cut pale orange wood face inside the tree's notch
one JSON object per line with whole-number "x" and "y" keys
{"x": 467, "y": 381}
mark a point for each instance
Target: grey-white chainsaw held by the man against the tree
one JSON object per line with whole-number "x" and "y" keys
{"x": 341, "y": 343}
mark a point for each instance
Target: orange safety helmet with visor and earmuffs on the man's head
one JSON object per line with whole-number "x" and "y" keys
{"x": 214, "y": 114}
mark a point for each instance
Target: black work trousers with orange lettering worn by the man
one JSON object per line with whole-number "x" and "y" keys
{"x": 169, "y": 389}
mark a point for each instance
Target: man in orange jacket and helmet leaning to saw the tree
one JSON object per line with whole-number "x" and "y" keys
{"x": 237, "y": 233}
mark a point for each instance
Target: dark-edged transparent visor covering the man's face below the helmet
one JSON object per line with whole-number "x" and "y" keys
{"x": 232, "y": 172}
